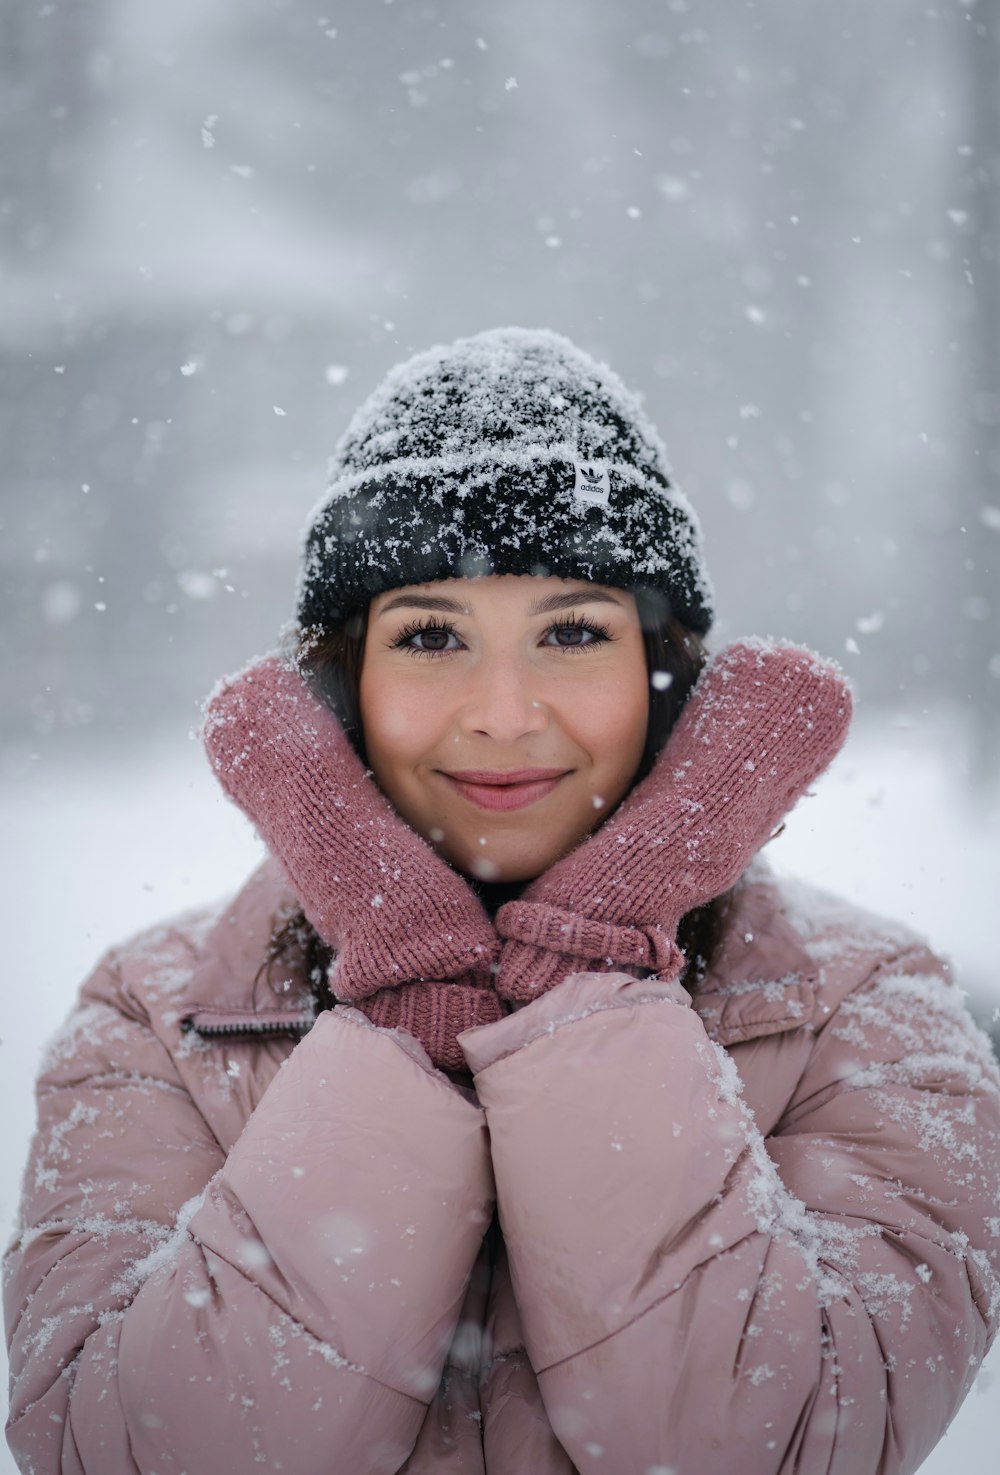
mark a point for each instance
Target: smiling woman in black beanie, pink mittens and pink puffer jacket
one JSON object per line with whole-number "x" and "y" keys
{"x": 513, "y": 1119}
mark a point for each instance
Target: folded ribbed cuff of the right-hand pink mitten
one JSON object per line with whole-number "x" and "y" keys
{"x": 574, "y": 943}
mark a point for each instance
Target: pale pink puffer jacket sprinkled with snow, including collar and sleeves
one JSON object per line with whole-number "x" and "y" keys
{"x": 754, "y": 1235}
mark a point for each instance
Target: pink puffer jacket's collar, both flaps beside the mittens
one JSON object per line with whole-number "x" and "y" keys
{"x": 762, "y": 980}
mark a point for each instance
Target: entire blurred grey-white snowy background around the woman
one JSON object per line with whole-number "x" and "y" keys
{"x": 223, "y": 221}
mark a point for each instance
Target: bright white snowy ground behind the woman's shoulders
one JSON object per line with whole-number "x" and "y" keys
{"x": 100, "y": 849}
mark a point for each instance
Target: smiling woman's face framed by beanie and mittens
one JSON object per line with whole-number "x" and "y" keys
{"x": 504, "y": 718}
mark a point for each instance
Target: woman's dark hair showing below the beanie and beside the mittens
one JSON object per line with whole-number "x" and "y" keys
{"x": 331, "y": 662}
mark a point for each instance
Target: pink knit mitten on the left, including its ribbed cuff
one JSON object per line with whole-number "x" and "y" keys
{"x": 395, "y": 912}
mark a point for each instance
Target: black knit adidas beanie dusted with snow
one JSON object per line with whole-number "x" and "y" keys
{"x": 511, "y": 452}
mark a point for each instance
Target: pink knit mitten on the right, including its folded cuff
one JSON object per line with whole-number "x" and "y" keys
{"x": 760, "y": 726}
